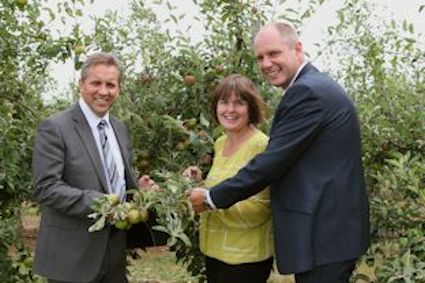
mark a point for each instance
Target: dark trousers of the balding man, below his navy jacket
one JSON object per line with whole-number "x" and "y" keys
{"x": 339, "y": 272}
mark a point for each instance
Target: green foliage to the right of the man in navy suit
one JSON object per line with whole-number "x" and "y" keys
{"x": 383, "y": 72}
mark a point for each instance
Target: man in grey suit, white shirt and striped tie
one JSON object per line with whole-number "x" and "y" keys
{"x": 70, "y": 169}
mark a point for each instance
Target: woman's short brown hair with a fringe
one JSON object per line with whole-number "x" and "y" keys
{"x": 244, "y": 88}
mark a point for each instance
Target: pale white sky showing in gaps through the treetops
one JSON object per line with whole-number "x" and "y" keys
{"x": 312, "y": 33}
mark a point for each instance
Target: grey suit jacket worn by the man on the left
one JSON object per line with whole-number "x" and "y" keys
{"x": 68, "y": 174}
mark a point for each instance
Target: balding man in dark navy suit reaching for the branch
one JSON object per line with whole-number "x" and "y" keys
{"x": 312, "y": 165}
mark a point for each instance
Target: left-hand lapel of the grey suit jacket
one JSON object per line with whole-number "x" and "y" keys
{"x": 85, "y": 134}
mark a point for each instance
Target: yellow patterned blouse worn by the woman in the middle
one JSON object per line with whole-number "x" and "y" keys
{"x": 243, "y": 232}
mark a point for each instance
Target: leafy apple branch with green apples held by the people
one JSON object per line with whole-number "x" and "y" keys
{"x": 166, "y": 197}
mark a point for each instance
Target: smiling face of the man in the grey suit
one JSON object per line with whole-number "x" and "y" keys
{"x": 100, "y": 88}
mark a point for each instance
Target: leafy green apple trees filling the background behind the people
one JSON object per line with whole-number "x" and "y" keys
{"x": 165, "y": 94}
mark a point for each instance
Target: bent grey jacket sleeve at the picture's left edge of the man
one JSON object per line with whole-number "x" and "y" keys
{"x": 49, "y": 161}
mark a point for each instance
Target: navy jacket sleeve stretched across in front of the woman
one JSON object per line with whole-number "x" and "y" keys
{"x": 297, "y": 123}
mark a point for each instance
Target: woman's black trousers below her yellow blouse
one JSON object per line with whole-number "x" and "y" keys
{"x": 253, "y": 272}
